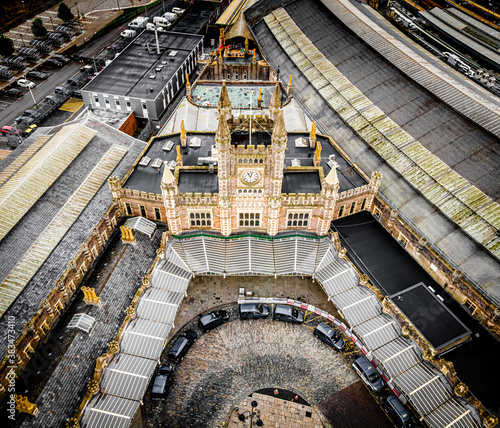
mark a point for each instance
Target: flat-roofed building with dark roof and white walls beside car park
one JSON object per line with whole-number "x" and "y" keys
{"x": 146, "y": 76}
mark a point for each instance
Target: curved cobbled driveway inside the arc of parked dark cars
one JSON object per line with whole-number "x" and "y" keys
{"x": 239, "y": 357}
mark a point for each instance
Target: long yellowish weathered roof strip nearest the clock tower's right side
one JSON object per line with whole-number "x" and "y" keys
{"x": 426, "y": 172}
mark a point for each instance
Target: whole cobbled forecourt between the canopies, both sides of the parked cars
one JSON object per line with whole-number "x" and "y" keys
{"x": 227, "y": 364}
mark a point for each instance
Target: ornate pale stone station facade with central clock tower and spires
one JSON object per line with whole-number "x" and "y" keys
{"x": 250, "y": 193}
